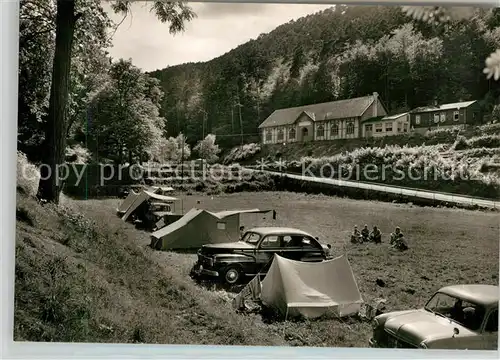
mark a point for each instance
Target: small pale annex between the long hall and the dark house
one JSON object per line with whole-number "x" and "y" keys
{"x": 386, "y": 125}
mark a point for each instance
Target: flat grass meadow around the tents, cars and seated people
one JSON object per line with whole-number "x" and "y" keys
{"x": 444, "y": 245}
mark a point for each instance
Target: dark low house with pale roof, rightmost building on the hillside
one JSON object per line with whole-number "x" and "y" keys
{"x": 461, "y": 114}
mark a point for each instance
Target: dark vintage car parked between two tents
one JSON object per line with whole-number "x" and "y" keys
{"x": 232, "y": 262}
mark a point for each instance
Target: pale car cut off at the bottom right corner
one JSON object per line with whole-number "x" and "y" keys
{"x": 455, "y": 317}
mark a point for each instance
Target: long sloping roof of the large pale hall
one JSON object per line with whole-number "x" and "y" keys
{"x": 339, "y": 109}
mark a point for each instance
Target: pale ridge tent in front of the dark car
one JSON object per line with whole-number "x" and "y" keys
{"x": 295, "y": 288}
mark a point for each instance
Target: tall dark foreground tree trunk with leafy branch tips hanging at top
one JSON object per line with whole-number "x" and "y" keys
{"x": 175, "y": 13}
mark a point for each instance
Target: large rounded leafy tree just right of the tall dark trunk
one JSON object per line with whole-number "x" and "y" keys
{"x": 124, "y": 115}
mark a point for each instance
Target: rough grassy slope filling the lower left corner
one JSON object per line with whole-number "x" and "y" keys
{"x": 83, "y": 275}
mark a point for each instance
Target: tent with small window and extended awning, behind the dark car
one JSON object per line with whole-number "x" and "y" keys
{"x": 199, "y": 227}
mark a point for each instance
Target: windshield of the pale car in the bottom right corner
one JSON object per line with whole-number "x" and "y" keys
{"x": 465, "y": 313}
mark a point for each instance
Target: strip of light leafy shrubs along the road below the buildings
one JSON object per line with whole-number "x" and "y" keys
{"x": 393, "y": 165}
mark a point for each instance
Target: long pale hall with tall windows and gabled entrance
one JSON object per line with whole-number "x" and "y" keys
{"x": 333, "y": 120}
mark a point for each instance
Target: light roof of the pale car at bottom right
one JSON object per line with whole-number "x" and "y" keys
{"x": 486, "y": 295}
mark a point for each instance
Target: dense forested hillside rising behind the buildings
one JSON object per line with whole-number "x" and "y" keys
{"x": 339, "y": 53}
